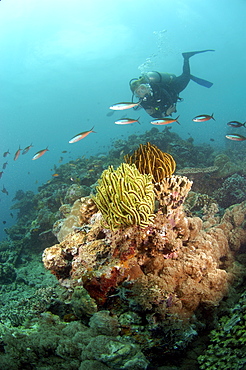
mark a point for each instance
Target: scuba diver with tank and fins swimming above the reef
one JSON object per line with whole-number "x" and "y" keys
{"x": 158, "y": 92}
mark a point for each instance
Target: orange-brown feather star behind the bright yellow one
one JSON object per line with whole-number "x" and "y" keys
{"x": 151, "y": 160}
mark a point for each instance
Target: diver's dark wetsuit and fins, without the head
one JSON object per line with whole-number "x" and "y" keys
{"x": 166, "y": 88}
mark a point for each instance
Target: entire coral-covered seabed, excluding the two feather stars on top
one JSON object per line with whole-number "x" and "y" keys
{"x": 132, "y": 294}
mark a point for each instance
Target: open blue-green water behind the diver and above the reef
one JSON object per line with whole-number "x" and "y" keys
{"x": 63, "y": 63}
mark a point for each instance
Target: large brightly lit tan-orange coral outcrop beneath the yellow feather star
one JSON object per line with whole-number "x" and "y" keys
{"x": 167, "y": 270}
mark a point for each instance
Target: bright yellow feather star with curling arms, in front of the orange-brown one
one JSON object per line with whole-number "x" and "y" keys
{"x": 125, "y": 197}
